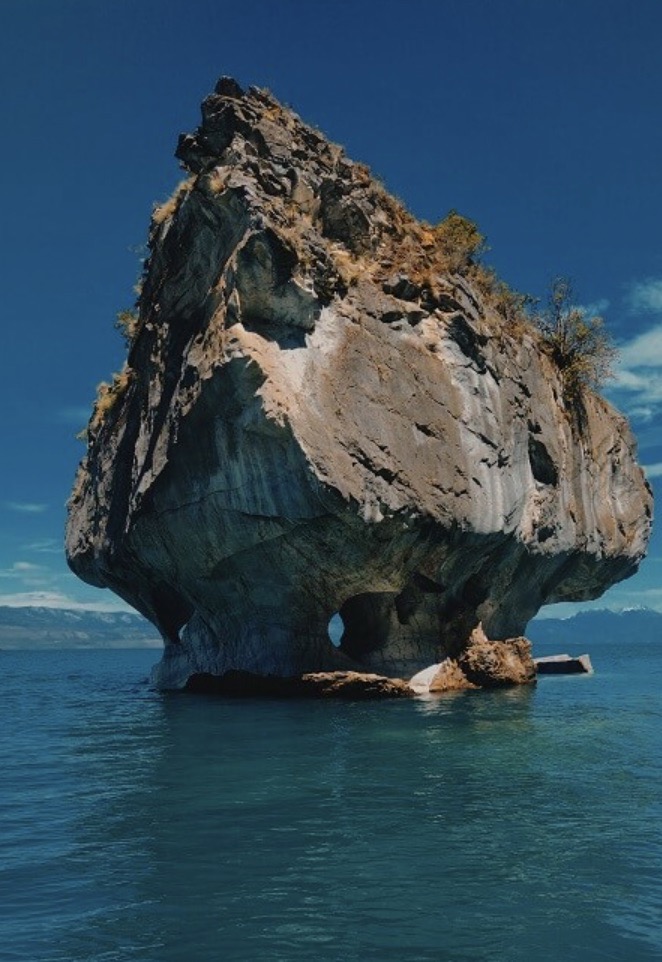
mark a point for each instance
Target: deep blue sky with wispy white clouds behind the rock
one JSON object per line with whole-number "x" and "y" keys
{"x": 541, "y": 119}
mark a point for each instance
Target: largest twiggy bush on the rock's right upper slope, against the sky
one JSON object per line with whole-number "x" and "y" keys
{"x": 579, "y": 344}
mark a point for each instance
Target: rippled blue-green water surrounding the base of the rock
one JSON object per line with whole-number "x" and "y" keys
{"x": 481, "y": 827}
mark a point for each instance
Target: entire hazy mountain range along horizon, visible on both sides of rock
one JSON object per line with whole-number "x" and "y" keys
{"x": 69, "y": 628}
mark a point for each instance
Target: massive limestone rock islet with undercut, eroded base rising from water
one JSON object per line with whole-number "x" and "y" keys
{"x": 319, "y": 415}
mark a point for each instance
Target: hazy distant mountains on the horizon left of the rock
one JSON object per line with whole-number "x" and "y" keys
{"x": 69, "y": 628}
